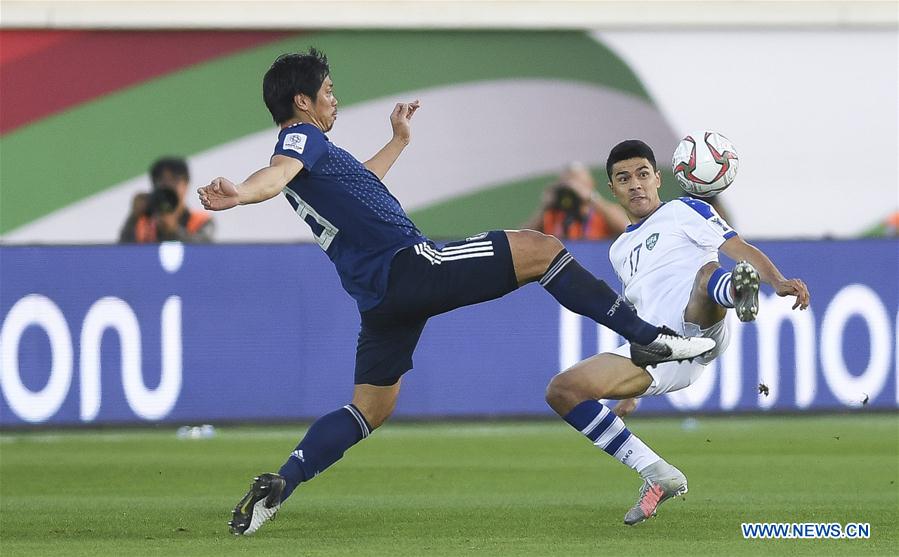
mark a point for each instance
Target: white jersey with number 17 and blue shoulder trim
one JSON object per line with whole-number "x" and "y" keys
{"x": 657, "y": 259}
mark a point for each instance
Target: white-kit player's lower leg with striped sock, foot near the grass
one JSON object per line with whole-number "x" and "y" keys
{"x": 574, "y": 395}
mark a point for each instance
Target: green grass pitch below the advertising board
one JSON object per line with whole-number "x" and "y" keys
{"x": 474, "y": 488}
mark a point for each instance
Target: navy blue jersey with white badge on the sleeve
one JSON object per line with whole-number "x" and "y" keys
{"x": 353, "y": 217}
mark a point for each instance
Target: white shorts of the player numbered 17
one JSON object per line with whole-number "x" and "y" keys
{"x": 672, "y": 376}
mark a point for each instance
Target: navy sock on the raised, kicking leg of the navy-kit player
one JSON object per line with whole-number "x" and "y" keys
{"x": 578, "y": 290}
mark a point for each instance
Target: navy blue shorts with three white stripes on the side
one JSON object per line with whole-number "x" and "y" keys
{"x": 424, "y": 281}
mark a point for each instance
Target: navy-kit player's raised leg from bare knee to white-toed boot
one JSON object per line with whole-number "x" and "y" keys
{"x": 540, "y": 257}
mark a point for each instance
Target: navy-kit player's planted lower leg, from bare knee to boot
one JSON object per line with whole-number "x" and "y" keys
{"x": 325, "y": 442}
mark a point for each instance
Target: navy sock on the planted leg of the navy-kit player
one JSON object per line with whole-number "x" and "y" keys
{"x": 324, "y": 444}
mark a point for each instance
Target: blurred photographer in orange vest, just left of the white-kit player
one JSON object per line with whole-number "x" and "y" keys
{"x": 572, "y": 209}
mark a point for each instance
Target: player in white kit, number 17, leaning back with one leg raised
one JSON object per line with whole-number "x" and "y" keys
{"x": 667, "y": 260}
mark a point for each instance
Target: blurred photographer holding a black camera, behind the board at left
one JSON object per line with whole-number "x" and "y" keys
{"x": 161, "y": 214}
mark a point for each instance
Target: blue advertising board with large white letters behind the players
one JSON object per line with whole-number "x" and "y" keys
{"x": 185, "y": 334}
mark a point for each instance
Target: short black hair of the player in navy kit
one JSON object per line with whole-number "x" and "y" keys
{"x": 290, "y": 75}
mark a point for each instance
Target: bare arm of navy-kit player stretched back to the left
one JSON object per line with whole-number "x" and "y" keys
{"x": 263, "y": 184}
